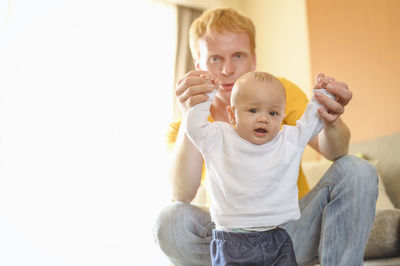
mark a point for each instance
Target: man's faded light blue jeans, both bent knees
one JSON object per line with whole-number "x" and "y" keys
{"x": 336, "y": 219}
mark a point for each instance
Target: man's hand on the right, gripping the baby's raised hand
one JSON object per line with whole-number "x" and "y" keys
{"x": 334, "y": 108}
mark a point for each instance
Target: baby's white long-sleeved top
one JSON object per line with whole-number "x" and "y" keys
{"x": 251, "y": 185}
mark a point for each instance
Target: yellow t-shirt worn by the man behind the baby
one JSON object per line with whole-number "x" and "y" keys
{"x": 296, "y": 103}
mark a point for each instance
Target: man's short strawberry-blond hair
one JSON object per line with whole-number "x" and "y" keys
{"x": 220, "y": 19}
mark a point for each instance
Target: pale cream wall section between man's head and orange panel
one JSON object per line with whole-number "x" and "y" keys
{"x": 281, "y": 38}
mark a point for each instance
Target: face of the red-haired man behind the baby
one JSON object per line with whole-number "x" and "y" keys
{"x": 228, "y": 56}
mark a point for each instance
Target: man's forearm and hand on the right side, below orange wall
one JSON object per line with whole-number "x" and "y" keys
{"x": 333, "y": 141}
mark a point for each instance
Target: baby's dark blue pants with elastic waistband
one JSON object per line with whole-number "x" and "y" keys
{"x": 272, "y": 247}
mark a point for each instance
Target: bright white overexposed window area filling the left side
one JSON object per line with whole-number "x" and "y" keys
{"x": 85, "y": 102}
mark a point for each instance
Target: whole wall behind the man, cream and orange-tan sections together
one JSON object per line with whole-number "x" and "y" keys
{"x": 355, "y": 41}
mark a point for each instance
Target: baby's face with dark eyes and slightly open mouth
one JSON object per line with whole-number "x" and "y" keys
{"x": 258, "y": 110}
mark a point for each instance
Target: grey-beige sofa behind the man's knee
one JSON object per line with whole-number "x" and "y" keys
{"x": 383, "y": 247}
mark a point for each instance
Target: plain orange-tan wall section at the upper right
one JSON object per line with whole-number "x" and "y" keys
{"x": 359, "y": 41}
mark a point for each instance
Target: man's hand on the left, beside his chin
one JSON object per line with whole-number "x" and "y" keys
{"x": 193, "y": 88}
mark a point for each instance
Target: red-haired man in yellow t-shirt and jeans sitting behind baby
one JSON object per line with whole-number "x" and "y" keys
{"x": 336, "y": 216}
